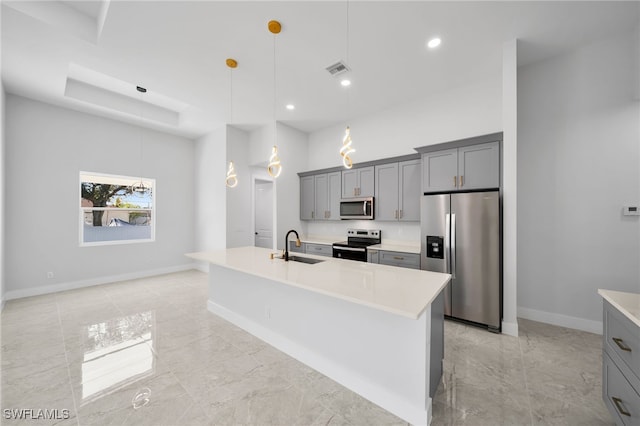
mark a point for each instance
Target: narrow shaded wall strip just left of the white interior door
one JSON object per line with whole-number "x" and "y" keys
{"x": 239, "y": 204}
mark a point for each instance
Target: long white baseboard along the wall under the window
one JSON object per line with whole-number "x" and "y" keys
{"x": 54, "y": 288}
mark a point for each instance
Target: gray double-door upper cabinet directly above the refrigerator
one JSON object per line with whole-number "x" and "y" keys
{"x": 461, "y": 169}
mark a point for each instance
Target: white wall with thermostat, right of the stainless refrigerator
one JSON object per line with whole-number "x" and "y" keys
{"x": 578, "y": 164}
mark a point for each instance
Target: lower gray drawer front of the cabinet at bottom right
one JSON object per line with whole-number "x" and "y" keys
{"x": 620, "y": 398}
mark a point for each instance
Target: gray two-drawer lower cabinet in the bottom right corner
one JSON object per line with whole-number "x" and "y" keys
{"x": 621, "y": 367}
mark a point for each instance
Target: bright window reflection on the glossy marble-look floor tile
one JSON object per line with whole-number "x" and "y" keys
{"x": 117, "y": 353}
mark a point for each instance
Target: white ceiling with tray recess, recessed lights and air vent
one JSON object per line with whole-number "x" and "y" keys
{"x": 177, "y": 50}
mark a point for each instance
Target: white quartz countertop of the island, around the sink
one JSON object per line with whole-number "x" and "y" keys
{"x": 405, "y": 292}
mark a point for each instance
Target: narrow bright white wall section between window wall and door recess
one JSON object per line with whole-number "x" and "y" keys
{"x": 210, "y": 191}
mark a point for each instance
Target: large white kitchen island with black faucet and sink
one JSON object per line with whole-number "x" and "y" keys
{"x": 375, "y": 329}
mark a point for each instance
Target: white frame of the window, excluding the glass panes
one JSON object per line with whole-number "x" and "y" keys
{"x": 152, "y": 210}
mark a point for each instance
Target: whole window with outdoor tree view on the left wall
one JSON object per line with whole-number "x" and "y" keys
{"x": 116, "y": 209}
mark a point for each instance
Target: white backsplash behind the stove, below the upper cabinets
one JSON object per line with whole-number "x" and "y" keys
{"x": 406, "y": 231}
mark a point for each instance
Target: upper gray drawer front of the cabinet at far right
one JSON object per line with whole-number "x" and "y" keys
{"x": 622, "y": 338}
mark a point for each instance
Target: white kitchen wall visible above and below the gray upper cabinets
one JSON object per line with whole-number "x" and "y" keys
{"x": 465, "y": 112}
